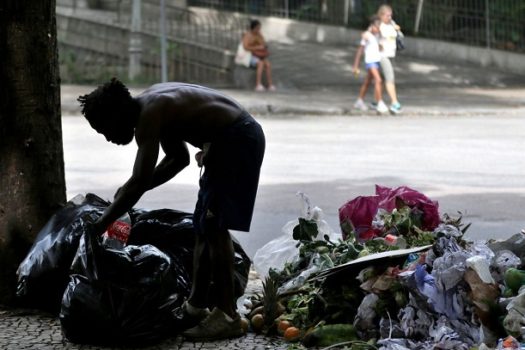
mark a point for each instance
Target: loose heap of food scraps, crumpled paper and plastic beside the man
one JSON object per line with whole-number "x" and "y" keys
{"x": 397, "y": 277}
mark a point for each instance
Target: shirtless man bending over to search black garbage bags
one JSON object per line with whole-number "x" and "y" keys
{"x": 232, "y": 147}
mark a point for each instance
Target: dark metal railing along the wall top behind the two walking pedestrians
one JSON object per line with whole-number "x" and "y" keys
{"x": 489, "y": 23}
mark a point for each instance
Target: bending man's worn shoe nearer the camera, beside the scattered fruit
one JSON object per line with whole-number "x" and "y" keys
{"x": 216, "y": 326}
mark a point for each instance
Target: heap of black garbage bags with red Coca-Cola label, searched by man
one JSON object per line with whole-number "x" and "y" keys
{"x": 121, "y": 288}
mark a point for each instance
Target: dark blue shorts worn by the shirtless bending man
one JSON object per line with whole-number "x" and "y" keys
{"x": 230, "y": 180}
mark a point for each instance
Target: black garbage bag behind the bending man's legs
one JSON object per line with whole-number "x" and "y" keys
{"x": 172, "y": 232}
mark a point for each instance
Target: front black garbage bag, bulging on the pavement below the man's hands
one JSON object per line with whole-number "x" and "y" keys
{"x": 120, "y": 297}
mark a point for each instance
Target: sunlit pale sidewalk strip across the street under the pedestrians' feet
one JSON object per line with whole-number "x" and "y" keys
{"x": 328, "y": 100}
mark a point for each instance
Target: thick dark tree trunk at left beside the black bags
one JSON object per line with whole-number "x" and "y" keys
{"x": 32, "y": 182}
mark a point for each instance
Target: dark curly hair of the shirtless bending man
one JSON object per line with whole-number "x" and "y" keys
{"x": 108, "y": 105}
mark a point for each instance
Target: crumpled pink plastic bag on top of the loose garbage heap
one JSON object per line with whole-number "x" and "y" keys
{"x": 357, "y": 214}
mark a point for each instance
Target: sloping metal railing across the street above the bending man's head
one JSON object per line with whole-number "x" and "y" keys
{"x": 94, "y": 42}
